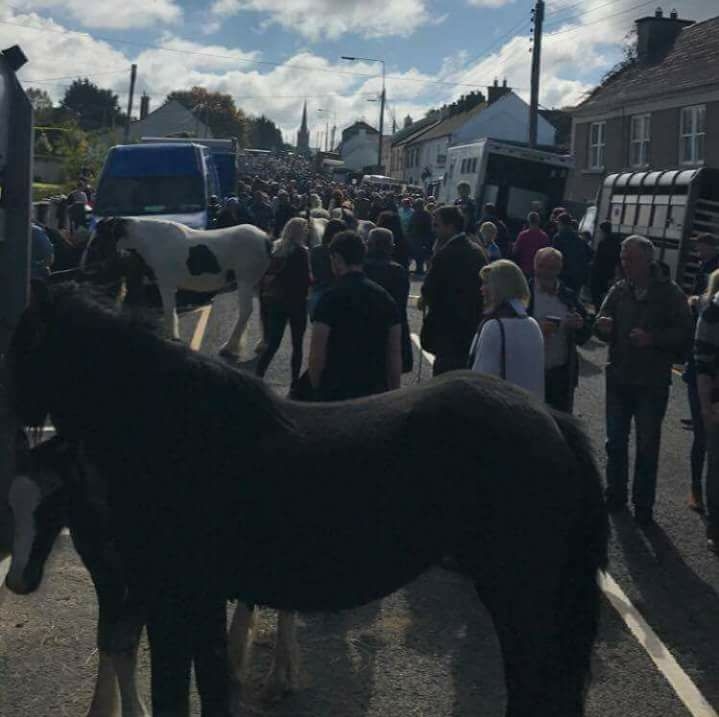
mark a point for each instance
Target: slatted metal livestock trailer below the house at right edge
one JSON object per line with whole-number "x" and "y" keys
{"x": 670, "y": 207}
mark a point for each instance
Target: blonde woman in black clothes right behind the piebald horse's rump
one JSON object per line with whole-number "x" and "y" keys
{"x": 284, "y": 294}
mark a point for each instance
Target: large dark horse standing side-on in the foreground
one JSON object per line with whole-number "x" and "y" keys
{"x": 217, "y": 487}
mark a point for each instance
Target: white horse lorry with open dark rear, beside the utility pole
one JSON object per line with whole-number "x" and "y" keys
{"x": 514, "y": 178}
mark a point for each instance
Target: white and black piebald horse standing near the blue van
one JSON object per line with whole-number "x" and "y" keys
{"x": 182, "y": 258}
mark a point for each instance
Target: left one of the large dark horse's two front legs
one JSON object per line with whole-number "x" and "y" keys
{"x": 169, "y": 630}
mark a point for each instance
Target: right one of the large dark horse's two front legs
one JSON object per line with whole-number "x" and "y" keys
{"x": 210, "y": 657}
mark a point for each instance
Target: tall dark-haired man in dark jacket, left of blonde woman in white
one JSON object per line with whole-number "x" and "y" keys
{"x": 452, "y": 293}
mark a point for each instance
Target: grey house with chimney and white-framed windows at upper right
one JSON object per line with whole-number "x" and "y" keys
{"x": 659, "y": 111}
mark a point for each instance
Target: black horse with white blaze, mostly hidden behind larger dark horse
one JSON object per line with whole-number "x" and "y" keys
{"x": 52, "y": 490}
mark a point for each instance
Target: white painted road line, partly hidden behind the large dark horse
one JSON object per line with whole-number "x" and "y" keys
{"x": 671, "y": 670}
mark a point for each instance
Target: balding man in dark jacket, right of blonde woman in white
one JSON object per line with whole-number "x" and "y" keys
{"x": 565, "y": 325}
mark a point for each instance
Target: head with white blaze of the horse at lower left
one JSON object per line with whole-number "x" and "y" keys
{"x": 39, "y": 499}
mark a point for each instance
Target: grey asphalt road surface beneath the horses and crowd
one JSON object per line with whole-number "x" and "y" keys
{"x": 429, "y": 649}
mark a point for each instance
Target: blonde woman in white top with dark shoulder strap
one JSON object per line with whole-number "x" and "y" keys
{"x": 509, "y": 343}
